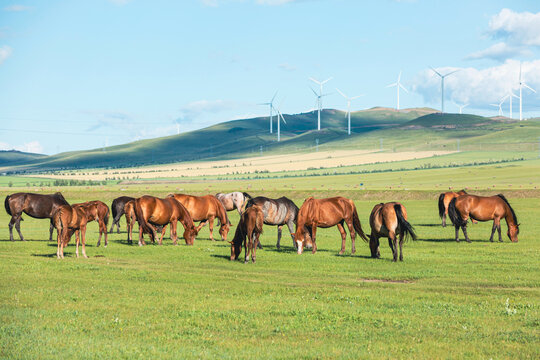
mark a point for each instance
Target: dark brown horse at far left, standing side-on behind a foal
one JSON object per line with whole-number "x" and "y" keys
{"x": 38, "y": 206}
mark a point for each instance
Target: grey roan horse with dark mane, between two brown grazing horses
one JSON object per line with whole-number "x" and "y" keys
{"x": 277, "y": 212}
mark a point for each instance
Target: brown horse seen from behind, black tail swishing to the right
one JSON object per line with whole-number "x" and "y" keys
{"x": 389, "y": 220}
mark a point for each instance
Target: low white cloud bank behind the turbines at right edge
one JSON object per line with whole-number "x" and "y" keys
{"x": 480, "y": 87}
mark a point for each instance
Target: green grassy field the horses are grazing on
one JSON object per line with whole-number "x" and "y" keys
{"x": 446, "y": 300}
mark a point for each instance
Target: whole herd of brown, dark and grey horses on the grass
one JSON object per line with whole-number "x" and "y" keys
{"x": 154, "y": 214}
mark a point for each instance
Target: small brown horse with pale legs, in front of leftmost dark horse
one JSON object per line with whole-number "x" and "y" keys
{"x": 68, "y": 219}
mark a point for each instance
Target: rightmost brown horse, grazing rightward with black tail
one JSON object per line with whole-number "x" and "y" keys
{"x": 483, "y": 208}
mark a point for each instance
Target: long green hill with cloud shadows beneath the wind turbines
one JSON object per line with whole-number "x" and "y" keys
{"x": 408, "y": 129}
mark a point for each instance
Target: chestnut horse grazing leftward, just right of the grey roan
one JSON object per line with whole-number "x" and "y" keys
{"x": 325, "y": 213}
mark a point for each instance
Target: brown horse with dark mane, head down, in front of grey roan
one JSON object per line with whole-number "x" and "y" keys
{"x": 250, "y": 227}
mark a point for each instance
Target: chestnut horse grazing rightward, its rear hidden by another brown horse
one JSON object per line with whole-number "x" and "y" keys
{"x": 205, "y": 209}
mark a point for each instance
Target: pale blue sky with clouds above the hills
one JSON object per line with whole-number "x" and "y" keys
{"x": 84, "y": 74}
